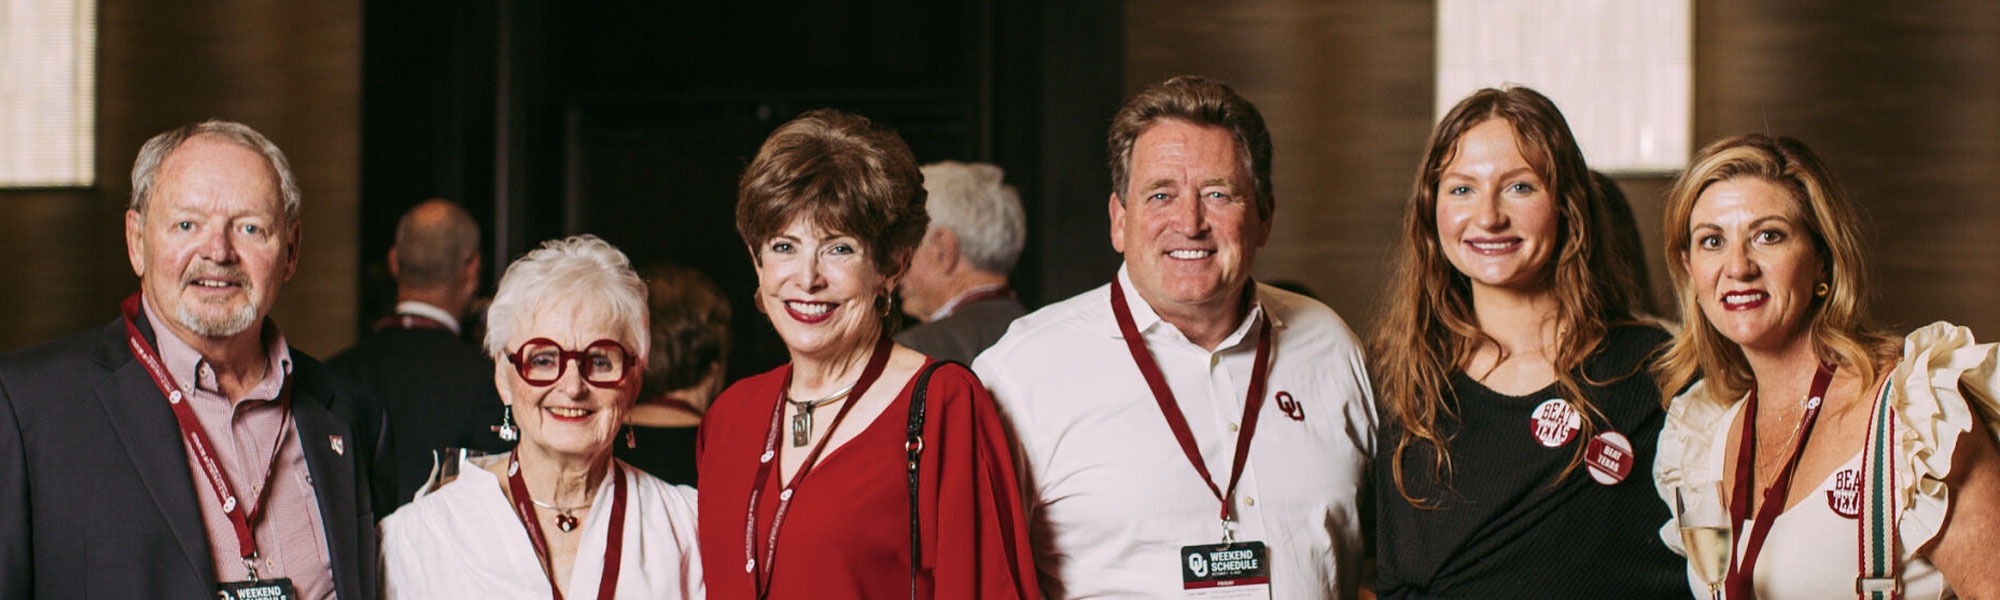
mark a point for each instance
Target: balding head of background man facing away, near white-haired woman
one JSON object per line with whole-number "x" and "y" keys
{"x": 435, "y": 243}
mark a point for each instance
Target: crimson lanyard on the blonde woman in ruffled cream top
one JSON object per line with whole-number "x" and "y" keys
{"x": 1741, "y": 571}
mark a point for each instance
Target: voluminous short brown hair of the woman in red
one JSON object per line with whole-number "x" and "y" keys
{"x": 845, "y": 175}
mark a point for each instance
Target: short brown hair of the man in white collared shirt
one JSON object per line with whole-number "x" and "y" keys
{"x": 1197, "y": 101}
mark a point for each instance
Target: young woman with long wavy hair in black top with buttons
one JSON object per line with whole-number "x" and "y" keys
{"x": 1521, "y": 413}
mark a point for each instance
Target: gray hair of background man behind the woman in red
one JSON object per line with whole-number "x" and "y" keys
{"x": 981, "y": 209}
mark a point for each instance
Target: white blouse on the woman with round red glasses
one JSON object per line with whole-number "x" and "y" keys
{"x": 463, "y": 541}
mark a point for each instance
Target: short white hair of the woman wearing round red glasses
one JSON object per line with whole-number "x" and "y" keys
{"x": 573, "y": 273}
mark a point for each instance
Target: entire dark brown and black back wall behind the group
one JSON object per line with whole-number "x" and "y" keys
{"x": 493, "y": 105}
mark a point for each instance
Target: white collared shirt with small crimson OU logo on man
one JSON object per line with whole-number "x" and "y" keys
{"x": 1111, "y": 495}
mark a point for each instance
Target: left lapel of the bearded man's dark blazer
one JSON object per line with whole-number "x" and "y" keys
{"x": 151, "y": 437}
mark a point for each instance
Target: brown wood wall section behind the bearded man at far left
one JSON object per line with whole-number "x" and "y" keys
{"x": 287, "y": 69}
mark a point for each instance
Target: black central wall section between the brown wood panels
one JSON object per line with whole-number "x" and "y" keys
{"x": 635, "y": 119}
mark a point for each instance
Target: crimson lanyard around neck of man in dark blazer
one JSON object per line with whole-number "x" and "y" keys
{"x": 191, "y": 433}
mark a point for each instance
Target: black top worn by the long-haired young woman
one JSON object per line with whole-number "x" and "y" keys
{"x": 1507, "y": 527}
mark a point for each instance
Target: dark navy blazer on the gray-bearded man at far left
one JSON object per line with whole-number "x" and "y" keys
{"x": 97, "y": 499}
